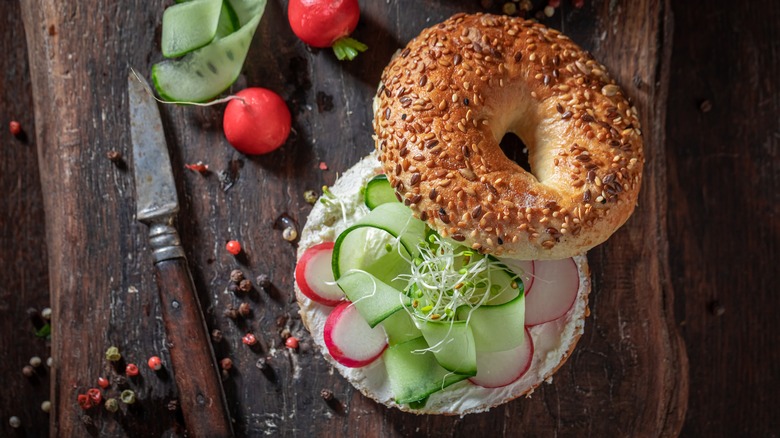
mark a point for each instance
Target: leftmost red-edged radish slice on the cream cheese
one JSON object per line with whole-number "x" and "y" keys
{"x": 314, "y": 275}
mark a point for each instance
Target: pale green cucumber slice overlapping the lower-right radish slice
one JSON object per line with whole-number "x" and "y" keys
{"x": 496, "y": 327}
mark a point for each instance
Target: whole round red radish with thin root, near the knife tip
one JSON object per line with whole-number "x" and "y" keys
{"x": 258, "y": 123}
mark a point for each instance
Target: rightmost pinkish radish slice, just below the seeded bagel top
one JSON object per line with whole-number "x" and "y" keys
{"x": 555, "y": 288}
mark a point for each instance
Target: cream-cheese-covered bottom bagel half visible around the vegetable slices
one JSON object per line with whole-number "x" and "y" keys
{"x": 553, "y": 341}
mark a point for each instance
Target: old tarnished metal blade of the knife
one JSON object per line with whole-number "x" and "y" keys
{"x": 155, "y": 190}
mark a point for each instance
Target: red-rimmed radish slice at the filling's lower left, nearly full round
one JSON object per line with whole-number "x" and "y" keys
{"x": 349, "y": 338}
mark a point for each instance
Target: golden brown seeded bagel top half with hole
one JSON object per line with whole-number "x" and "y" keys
{"x": 445, "y": 102}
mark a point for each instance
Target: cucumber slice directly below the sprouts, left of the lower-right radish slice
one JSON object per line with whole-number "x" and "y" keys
{"x": 452, "y": 342}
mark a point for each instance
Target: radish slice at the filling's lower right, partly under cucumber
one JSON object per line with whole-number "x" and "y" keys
{"x": 500, "y": 368}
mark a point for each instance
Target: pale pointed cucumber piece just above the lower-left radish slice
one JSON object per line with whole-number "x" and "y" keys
{"x": 373, "y": 298}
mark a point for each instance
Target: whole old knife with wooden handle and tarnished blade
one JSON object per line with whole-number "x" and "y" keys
{"x": 201, "y": 396}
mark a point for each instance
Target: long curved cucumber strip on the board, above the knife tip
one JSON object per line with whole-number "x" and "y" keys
{"x": 205, "y": 73}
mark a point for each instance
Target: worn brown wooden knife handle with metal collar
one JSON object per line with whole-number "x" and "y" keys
{"x": 201, "y": 397}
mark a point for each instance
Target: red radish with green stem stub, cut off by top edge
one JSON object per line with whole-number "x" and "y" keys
{"x": 327, "y": 23}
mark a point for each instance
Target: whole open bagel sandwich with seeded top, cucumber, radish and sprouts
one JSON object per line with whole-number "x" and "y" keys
{"x": 439, "y": 228}
